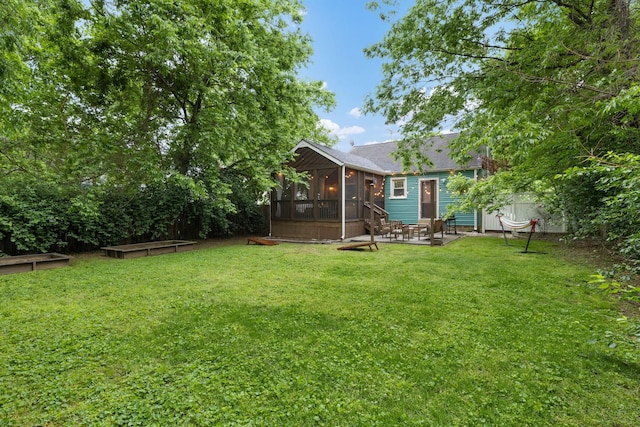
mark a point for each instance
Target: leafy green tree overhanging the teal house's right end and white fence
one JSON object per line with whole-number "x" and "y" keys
{"x": 544, "y": 85}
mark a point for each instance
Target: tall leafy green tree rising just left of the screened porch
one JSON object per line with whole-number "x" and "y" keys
{"x": 206, "y": 84}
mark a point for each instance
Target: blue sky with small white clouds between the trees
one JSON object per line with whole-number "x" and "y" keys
{"x": 340, "y": 30}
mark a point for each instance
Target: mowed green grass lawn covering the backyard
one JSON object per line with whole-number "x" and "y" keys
{"x": 473, "y": 333}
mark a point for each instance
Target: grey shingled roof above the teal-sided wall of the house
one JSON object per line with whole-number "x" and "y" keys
{"x": 437, "y": 149}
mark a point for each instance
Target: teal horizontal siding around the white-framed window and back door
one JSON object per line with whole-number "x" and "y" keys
{"x": 408, "y": 210}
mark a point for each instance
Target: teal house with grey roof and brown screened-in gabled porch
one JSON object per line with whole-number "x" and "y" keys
{"x": 333, "y": 203}
